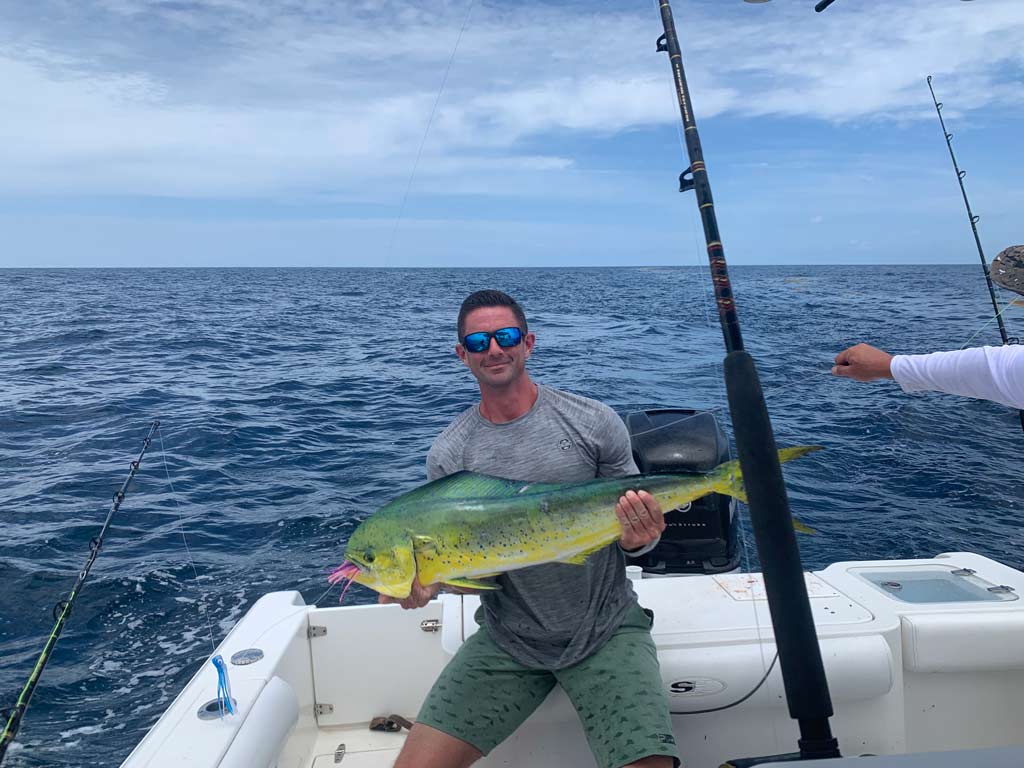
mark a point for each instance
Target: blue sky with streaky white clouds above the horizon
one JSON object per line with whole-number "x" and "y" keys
{"x": 484, "y": 134}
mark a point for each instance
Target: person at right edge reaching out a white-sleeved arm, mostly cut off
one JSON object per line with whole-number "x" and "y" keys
{"x": 989, "y": 373}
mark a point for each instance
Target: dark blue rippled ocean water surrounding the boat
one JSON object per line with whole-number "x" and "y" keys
{"x": 293, "y": 403}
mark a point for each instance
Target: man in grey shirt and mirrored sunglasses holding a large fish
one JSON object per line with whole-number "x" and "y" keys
{"x": 577, "y": 626}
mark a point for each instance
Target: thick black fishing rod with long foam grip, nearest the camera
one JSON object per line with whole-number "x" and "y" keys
{"x": 799, "y": 654}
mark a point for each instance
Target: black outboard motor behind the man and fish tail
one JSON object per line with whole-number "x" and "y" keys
{"x": 704, "y": 539}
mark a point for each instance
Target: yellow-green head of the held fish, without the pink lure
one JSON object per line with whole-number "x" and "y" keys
{"x": 385, "y": 557}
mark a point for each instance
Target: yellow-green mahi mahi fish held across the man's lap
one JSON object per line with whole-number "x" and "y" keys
{"x": 467, "y": 527}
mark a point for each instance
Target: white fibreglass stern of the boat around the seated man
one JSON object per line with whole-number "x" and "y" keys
{"x": 905, "y": 676}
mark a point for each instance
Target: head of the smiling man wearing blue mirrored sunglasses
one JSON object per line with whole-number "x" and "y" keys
{"x": 494, "y": 342}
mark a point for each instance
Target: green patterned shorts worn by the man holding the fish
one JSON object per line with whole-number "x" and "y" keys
{"x": 484, "y": 696}
